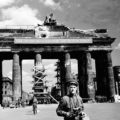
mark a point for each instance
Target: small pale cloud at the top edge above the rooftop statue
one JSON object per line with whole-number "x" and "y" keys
{"x": 53, "y": 4}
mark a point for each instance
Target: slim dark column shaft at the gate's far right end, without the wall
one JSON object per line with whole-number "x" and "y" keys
{"x": 109, "y": 75}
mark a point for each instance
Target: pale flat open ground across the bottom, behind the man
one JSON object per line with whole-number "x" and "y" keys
{"x": 96, "y": 111}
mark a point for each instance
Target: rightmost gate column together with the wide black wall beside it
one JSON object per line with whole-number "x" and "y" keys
{"x": 104, "y": 75}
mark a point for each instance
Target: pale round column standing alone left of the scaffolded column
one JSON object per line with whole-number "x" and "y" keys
{"x": 16, "y": 77}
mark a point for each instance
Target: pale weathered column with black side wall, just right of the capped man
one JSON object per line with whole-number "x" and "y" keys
{"x": 86, "y": 83}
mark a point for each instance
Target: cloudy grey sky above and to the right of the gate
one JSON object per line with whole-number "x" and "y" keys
{"x": 82, "y": 14}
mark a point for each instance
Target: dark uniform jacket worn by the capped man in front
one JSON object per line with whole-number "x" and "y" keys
{"x": 67, "y": 104}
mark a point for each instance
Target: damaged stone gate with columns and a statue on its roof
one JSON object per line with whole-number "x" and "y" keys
{"x": 52, "y": 41}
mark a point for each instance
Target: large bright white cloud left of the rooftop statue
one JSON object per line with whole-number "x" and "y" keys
{"x": 19, "y": 16}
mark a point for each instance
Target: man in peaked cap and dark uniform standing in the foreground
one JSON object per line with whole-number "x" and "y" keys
{"x": 71, "y": 105}
